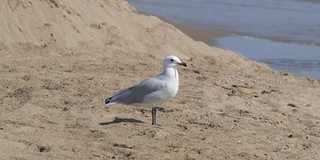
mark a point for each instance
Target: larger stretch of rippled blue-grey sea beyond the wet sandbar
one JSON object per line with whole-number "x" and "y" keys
{"x": 250, "y": 25}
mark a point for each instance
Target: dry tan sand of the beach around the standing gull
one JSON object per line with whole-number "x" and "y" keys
{"x": 60, "y": 59}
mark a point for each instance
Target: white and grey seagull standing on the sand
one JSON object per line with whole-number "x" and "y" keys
{"x": 153, "y": 91}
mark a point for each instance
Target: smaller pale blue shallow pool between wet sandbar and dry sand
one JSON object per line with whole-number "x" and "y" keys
{"x": 301, "y": 60}
